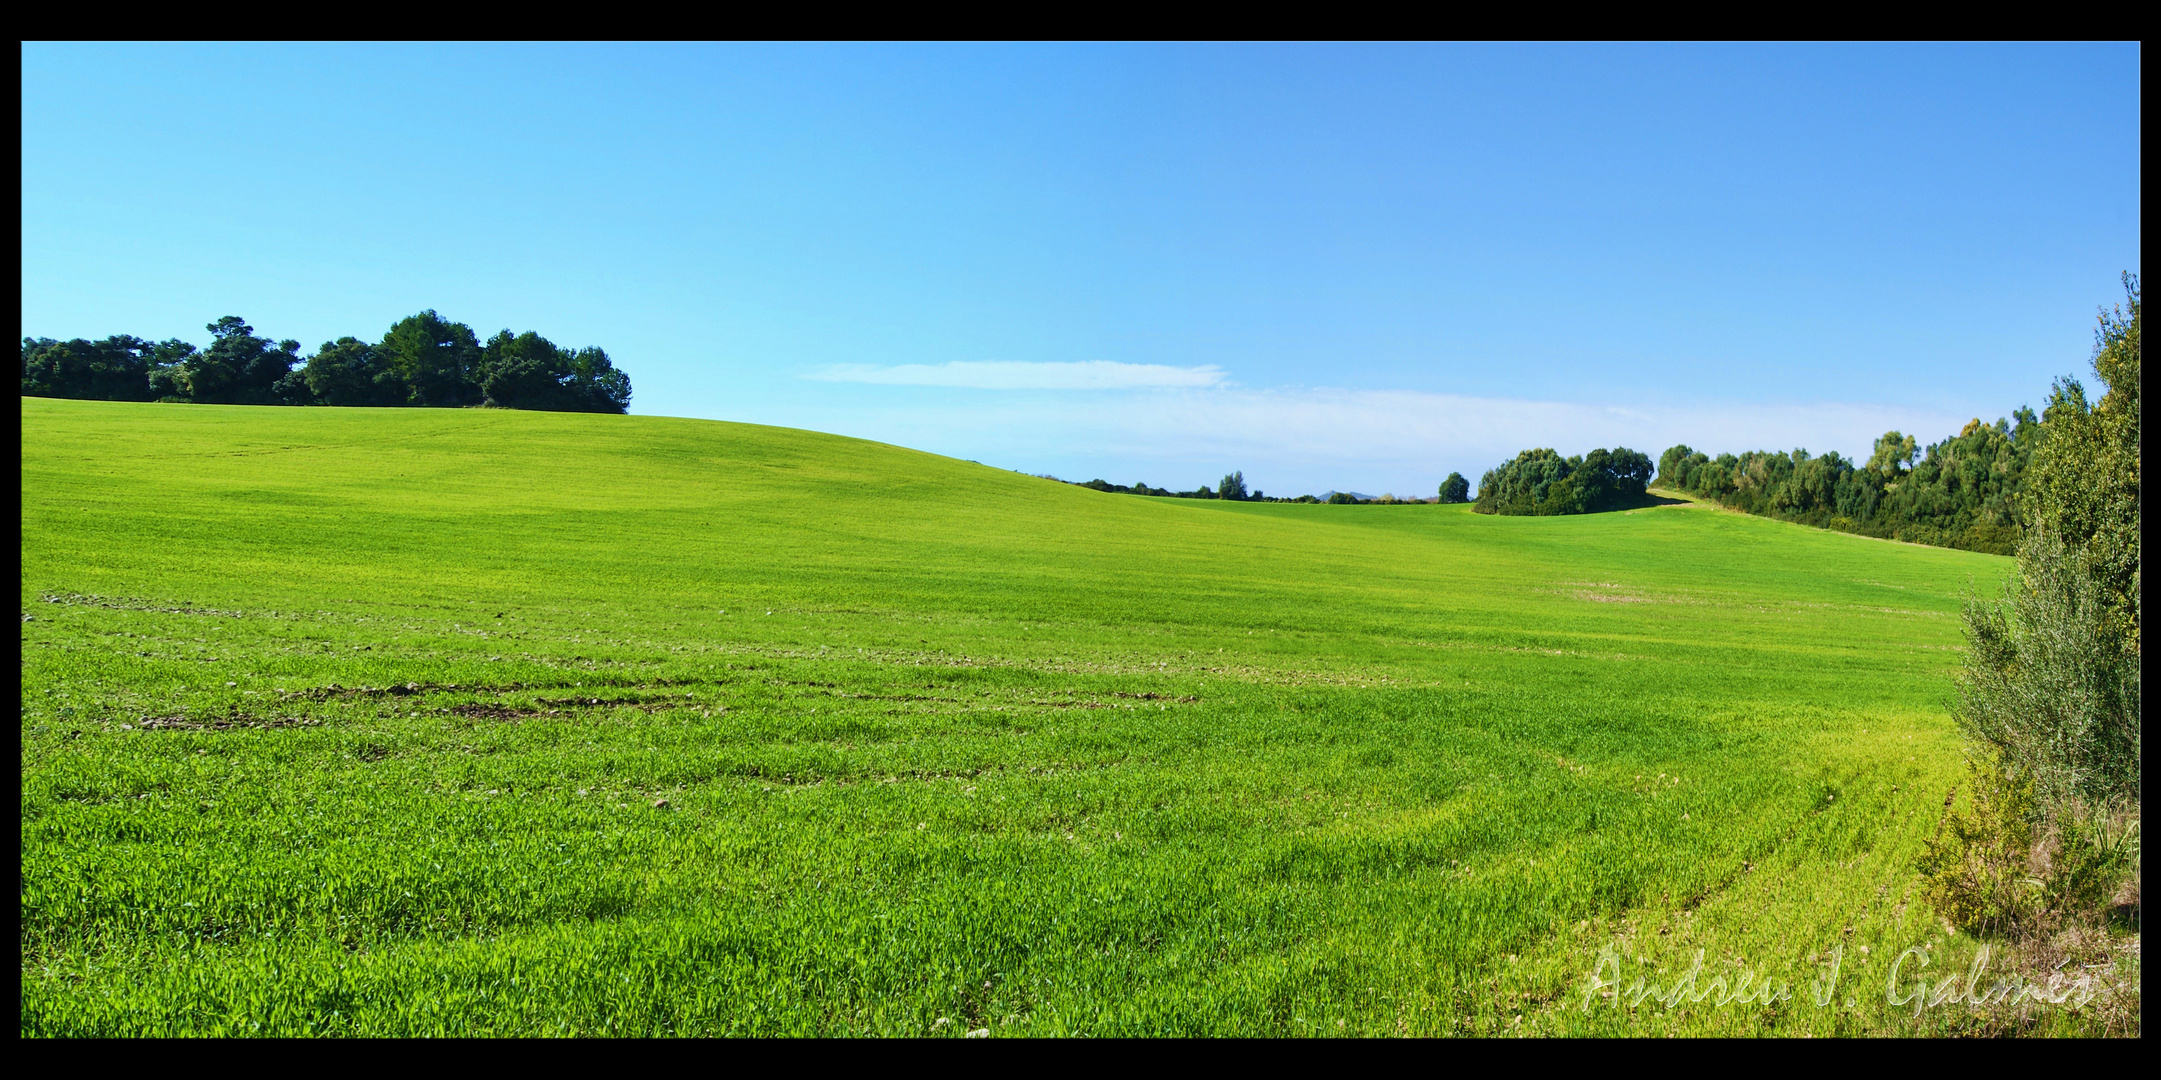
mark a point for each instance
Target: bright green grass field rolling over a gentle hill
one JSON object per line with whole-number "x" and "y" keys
{"x": 477, "y": 723}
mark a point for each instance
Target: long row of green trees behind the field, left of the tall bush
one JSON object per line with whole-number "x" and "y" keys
{"x": 1961, "y": 494}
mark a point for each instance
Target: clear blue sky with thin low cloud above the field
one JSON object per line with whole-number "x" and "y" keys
{"x": 1330, "y": 267}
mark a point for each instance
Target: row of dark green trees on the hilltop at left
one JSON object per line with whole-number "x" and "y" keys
{"x": 420, "y": 362}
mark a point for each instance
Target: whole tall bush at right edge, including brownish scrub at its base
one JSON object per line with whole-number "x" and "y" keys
{"x": 2050, "y": 697}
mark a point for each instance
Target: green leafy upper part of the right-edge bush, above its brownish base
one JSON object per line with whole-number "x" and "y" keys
{"x": 2052, "y": 677}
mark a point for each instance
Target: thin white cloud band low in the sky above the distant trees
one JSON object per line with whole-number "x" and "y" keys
{"x": 1315, "y": 440}
